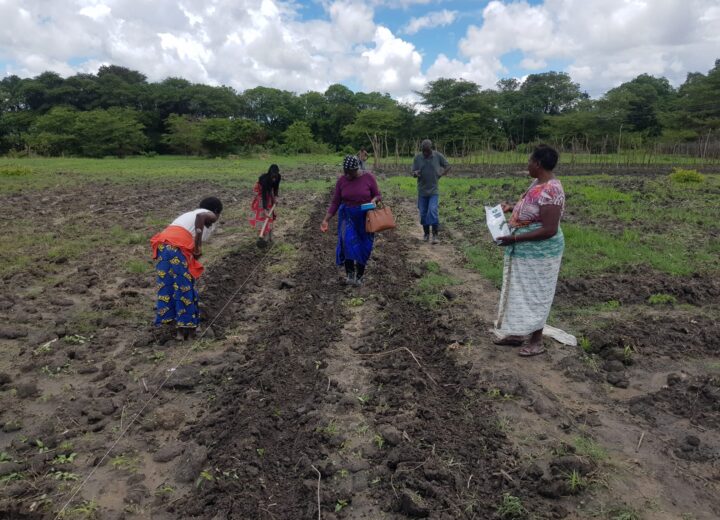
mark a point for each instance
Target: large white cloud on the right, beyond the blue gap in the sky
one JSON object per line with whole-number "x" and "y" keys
{"x": 603, "y": 42}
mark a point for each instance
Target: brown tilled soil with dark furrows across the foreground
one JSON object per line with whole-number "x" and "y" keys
{"x": 304, "y": 389}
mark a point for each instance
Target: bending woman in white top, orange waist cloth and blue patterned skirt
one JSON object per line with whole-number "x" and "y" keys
{"x": 177, "y": 249}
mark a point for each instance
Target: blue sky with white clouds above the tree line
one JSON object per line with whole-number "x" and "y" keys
{"x": 393, "y": 46}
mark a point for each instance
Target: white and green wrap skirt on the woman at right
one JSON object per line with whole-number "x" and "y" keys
{"x": 530, "y": 275}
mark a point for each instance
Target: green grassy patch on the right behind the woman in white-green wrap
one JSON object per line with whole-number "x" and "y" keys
{"x": 612, "y": 222}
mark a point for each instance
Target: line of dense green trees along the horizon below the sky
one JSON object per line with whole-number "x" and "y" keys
{"x": 118, "y": 112}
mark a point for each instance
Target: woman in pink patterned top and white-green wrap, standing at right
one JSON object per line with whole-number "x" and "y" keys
{"x": 533, "y": 255}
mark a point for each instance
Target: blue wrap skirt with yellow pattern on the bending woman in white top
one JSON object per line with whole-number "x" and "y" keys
{"x": 177, "y": 299}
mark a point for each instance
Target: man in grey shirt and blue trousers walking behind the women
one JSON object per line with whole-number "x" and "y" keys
{"x": 428, "y": 167}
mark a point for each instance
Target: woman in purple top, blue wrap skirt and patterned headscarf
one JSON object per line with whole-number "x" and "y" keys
{"x": 354, "y": 247}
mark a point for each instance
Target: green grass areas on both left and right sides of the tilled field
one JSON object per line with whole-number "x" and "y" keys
{"x": 612, "y": 223}
